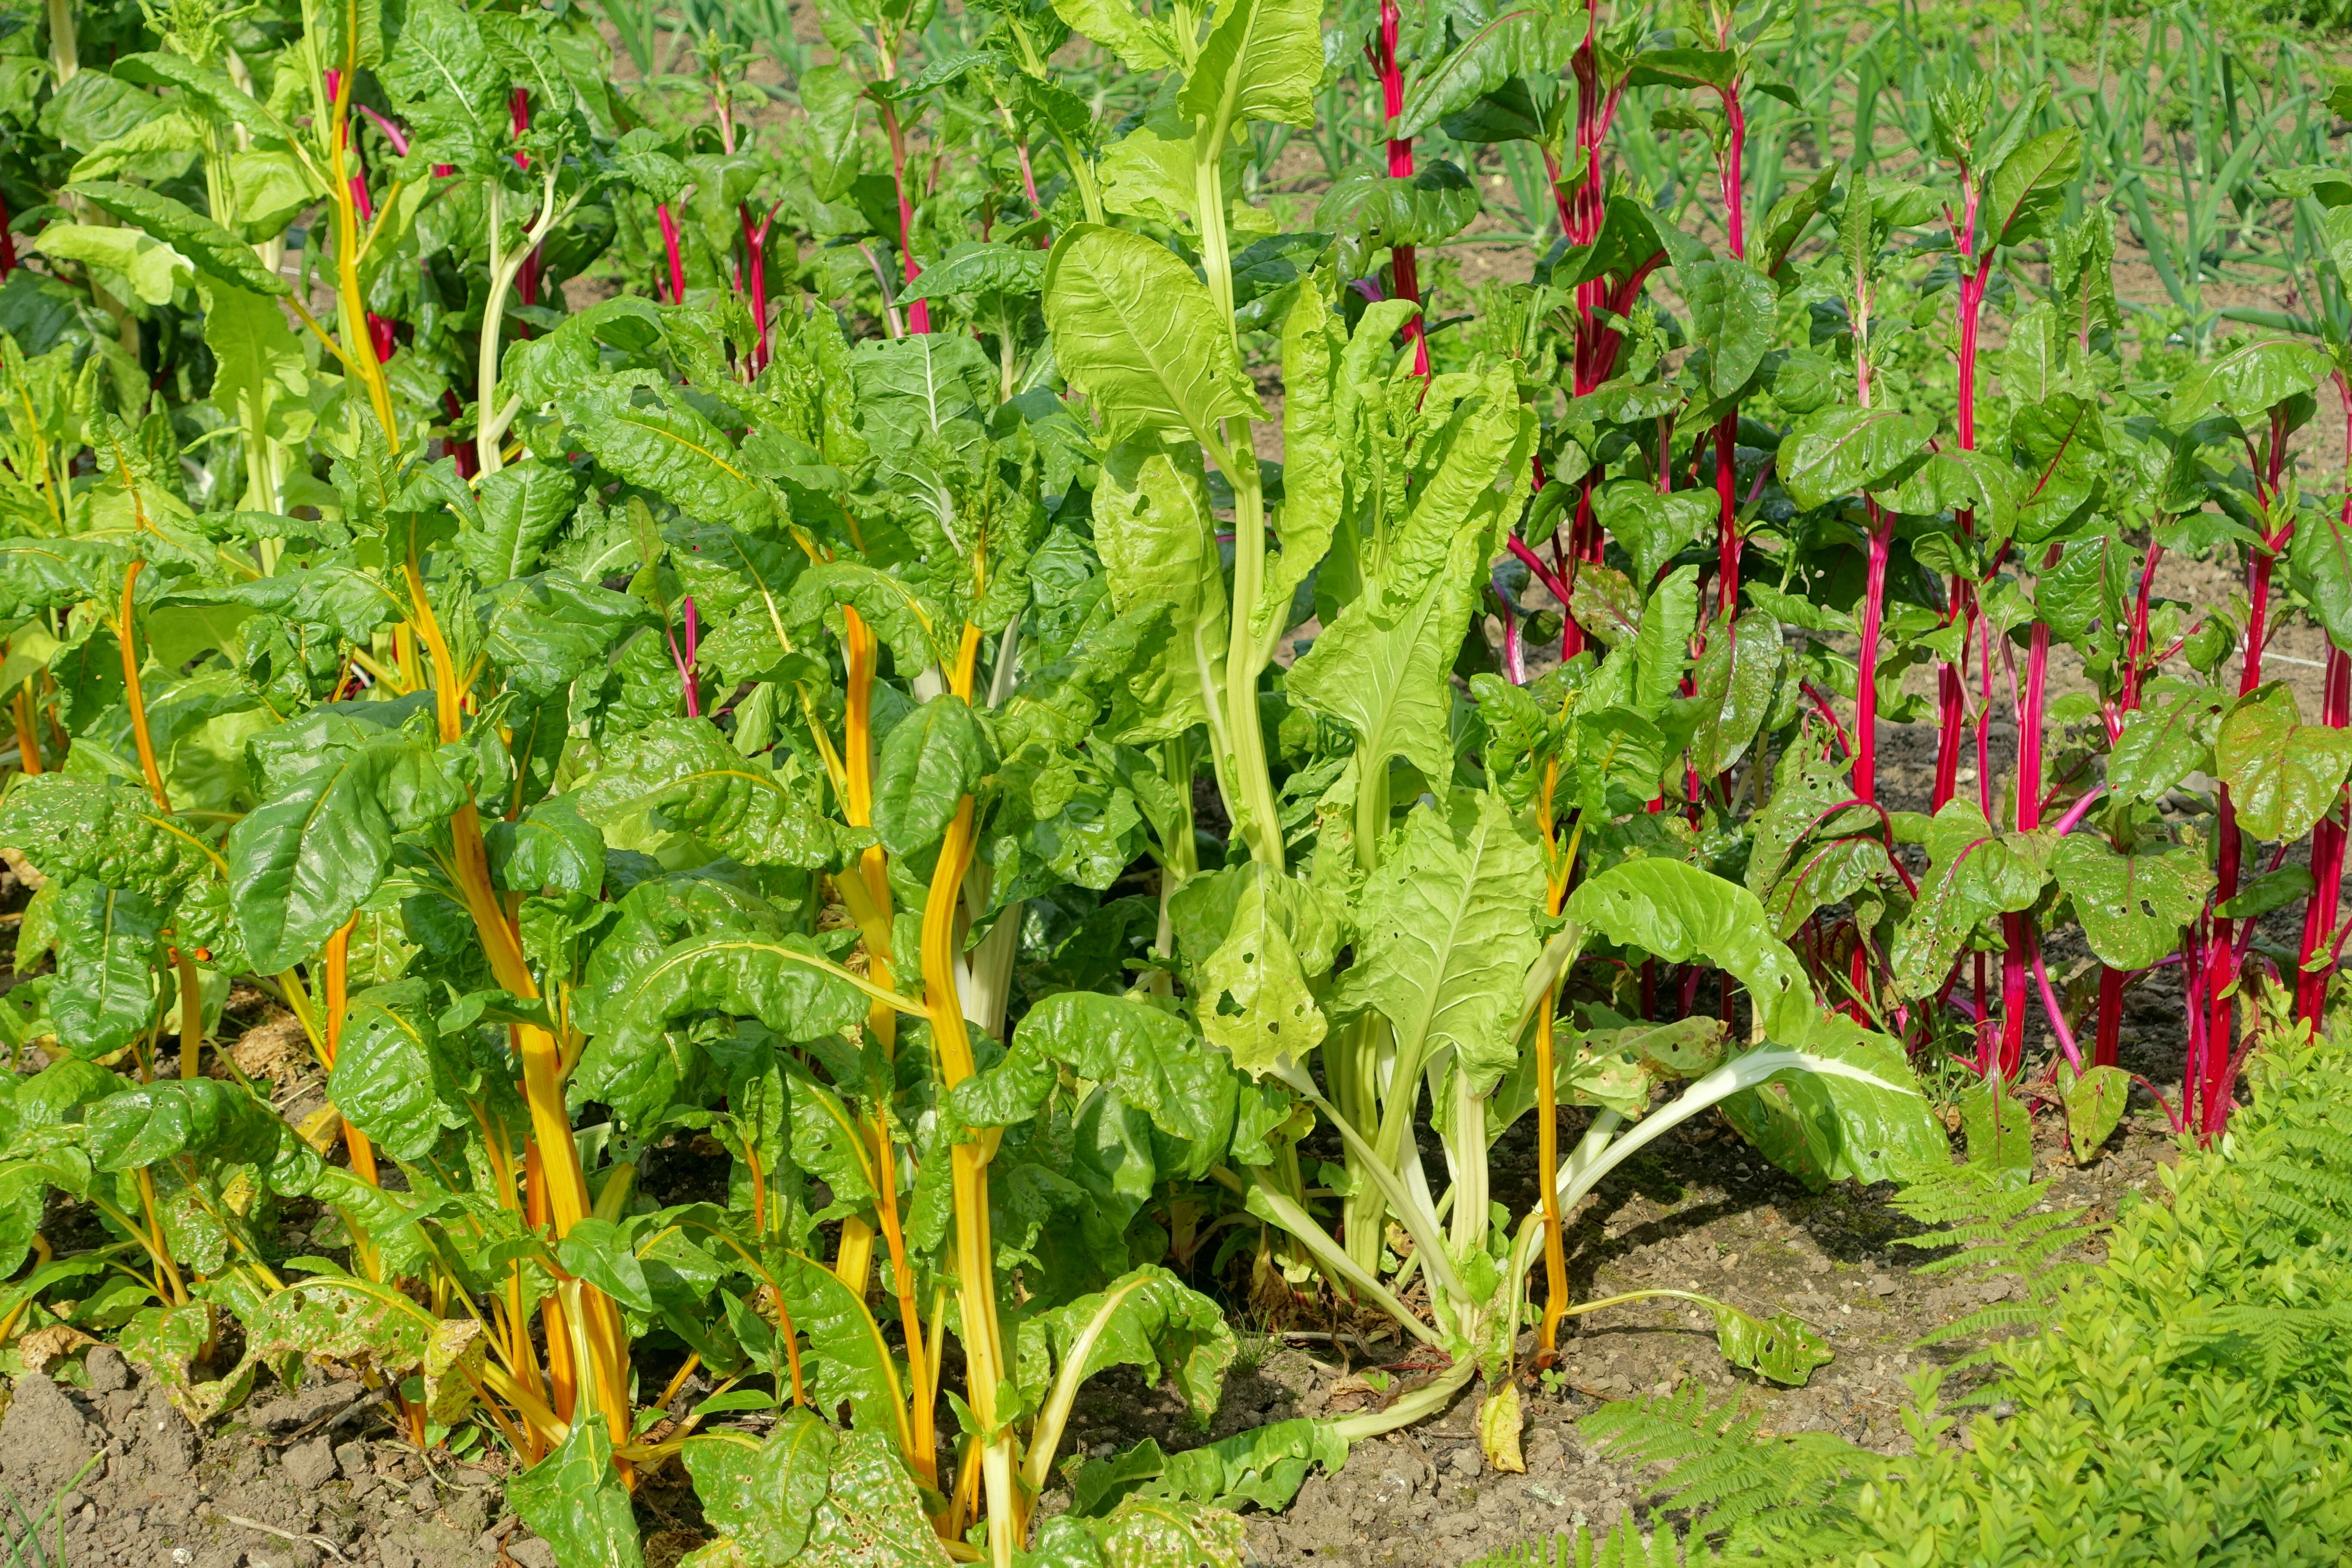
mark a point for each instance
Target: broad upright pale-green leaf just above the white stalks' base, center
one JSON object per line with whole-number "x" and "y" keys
{"x": 1450, "y": 932}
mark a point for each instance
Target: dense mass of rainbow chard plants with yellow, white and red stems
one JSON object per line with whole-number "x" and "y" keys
{"x": 653, "y": 626}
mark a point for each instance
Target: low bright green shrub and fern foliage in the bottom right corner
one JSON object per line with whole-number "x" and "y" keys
{"x": 2186, "y": 1402}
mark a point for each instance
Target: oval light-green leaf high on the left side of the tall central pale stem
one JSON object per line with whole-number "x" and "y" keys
{"x": 1140, "y": 335}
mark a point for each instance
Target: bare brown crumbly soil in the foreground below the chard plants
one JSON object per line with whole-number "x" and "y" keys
{"x": 316, "y": 1475}
